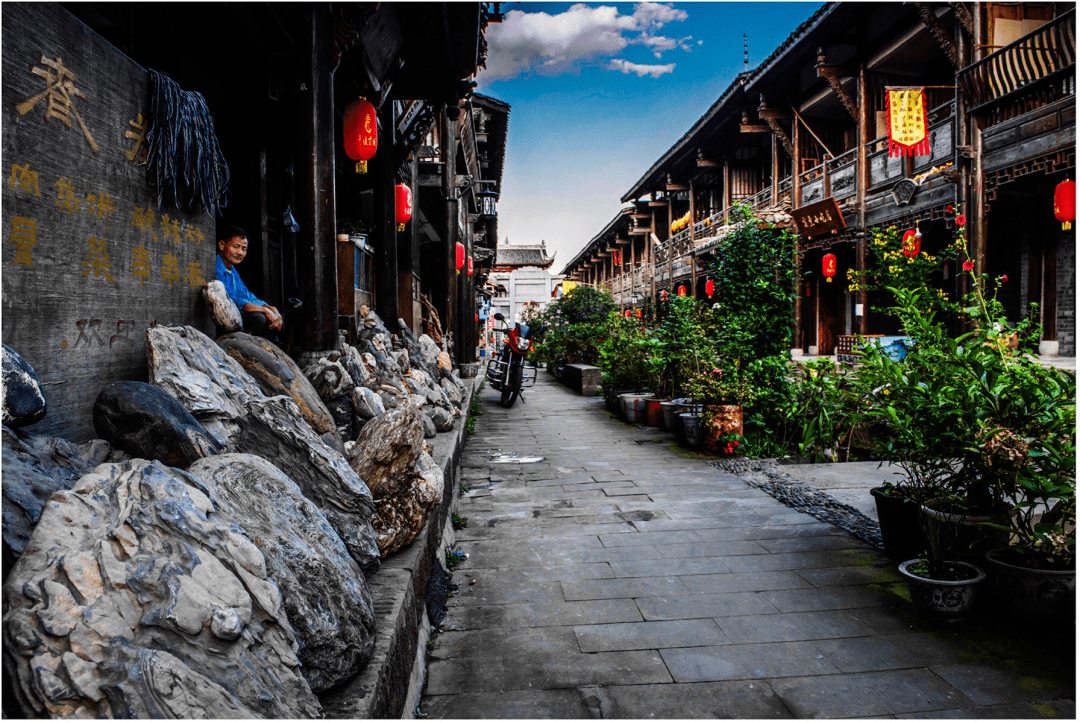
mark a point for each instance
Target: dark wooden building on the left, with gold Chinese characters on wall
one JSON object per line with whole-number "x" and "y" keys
{"x": 90, "y": 259}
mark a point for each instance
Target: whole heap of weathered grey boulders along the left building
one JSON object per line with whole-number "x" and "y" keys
{"x": 209, "y": 556}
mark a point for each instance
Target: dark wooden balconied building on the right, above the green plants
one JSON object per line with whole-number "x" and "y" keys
{"x": 808, "y": 127}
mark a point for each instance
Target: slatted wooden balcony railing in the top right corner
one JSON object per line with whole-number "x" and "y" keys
{"x": 1035, "y": 60}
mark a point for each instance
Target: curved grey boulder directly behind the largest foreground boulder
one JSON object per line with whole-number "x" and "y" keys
{"x": 326, "y": 596}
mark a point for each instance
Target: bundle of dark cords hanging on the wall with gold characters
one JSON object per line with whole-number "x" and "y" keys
{"x": 184, "y": 157}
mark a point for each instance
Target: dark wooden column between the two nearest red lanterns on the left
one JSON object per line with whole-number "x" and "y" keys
{"x": 386, "y": 225}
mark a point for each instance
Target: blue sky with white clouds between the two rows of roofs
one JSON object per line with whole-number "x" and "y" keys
{"x": 600, "y": 91}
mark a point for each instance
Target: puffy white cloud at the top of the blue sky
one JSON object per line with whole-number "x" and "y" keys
{"x": 555, "y": 45}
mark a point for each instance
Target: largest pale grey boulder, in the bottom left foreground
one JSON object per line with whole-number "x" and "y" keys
{"x": 139, "y": 597}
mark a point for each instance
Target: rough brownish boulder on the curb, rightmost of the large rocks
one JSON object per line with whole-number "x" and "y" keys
{"x": 388, "y": 454}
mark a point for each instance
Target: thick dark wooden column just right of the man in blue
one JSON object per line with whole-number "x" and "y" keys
{"x": 316, "y": 165}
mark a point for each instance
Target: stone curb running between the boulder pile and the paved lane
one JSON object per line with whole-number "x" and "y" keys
{"x": 383, "y": 690}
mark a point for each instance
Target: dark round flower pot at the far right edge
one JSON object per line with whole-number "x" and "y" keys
{"x": 1033, "y": 595}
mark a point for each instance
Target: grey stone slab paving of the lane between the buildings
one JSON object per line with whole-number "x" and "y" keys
{"x": 623, "y": 577}
